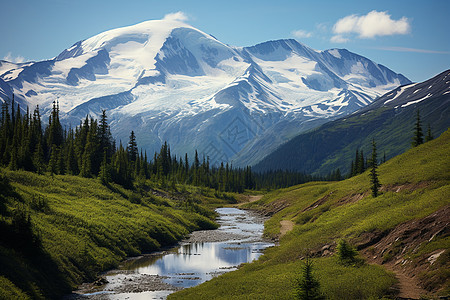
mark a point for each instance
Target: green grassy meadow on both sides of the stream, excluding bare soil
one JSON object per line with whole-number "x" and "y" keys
{"x": 62, "y": 230}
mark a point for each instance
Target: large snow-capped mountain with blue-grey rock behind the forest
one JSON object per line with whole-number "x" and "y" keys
{"x": 169, "y": 81}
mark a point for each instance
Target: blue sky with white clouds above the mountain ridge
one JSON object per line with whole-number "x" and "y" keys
{"x": 410, "y": 37}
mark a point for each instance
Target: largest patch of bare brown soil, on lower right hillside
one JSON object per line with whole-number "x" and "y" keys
{"x": 396, "y": 250}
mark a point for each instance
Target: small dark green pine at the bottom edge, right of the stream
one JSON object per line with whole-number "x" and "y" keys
{"x": 308, "y": 288}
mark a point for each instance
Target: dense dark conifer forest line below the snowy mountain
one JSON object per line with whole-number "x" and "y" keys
{"x": 89, "y": 150}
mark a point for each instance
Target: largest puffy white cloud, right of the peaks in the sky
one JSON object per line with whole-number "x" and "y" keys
{"x": 373, "y": 24}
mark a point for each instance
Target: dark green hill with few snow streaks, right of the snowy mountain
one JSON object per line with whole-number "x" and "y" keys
{"x": 389, "y": 120}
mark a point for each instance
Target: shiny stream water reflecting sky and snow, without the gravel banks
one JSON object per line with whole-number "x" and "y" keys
{"x": 196, "y": 262}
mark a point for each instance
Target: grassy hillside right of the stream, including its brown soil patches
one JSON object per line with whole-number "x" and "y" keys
{"x": 415, "y": 192}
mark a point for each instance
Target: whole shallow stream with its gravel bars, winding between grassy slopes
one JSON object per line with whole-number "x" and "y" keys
{"x": 204, "y": 255}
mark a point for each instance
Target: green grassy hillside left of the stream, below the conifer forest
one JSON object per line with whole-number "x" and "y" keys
{"x": 56, "y": 232}
